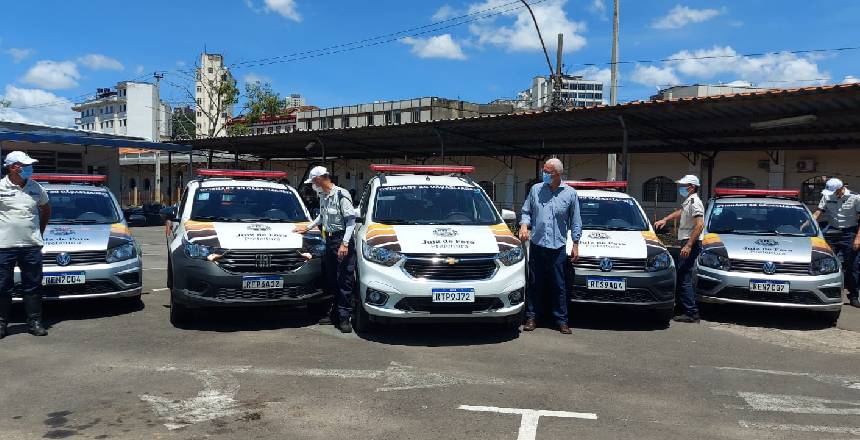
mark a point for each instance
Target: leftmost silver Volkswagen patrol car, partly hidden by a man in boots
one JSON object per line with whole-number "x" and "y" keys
{"x": 89, "y": 251}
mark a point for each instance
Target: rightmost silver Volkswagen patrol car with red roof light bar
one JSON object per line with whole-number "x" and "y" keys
{"x": 764, "y": 248}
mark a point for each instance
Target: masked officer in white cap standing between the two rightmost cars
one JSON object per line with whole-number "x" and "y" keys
{"x": 690, "y": 217}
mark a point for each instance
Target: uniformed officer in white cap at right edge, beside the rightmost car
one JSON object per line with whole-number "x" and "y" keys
{"x": 842, "y": 208}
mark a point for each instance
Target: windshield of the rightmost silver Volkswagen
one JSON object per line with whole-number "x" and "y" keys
{"x": 762, "y": 219}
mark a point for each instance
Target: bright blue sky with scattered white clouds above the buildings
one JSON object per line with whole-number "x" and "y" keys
{"x": 340, "y": 52}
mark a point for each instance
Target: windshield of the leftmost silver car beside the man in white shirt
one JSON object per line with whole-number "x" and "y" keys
{"x": 82, "y": 207}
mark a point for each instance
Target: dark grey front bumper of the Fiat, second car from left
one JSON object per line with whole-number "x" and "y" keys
{"x": 200, "y": 283}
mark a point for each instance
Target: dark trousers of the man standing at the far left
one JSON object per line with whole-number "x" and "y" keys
{"x": 29, "y": 260}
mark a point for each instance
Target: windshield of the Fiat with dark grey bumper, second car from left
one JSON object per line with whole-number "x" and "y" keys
{"x": 247, "y": 204}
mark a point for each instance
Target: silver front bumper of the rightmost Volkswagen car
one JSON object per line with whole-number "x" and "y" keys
{"x": 810, "y": 292}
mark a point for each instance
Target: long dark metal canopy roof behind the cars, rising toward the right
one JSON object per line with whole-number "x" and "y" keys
{"x": 807, "y": 118}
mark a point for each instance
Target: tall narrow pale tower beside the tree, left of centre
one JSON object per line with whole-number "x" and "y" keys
{"x": 212, "y": 113}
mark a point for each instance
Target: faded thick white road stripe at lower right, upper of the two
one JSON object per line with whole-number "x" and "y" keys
{"x": 799, "y": 404}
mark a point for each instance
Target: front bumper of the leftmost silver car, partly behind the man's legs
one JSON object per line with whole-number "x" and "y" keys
{"x": 107, "y": 280}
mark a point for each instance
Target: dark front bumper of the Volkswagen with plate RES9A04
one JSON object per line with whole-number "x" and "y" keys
{"x": 647, "y": 290}
